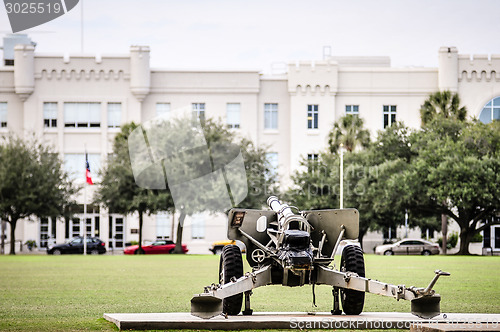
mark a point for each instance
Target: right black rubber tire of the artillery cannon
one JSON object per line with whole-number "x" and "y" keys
{"x": 352, "y": 261}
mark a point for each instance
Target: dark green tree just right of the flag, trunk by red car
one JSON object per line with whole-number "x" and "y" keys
{"x": 118, "y": 190}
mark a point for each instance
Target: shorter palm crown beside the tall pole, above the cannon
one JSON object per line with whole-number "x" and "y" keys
{"x": 349, "y": 131}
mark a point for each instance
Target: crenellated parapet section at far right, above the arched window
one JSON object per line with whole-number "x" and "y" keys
{"x": 479, "y": 68}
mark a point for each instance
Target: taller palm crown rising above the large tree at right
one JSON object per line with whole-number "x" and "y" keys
{"x": 442, "y": 103}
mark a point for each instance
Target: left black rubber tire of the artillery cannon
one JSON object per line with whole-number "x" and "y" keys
{"x": 231, "y": 265}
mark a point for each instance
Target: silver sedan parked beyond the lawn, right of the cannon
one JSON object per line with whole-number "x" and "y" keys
{"x": 408, "y": 247}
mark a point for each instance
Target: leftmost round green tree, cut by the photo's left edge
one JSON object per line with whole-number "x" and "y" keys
{"x": 32, "y": 182}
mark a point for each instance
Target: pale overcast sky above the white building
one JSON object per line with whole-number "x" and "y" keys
{"x": 259, "y": 35}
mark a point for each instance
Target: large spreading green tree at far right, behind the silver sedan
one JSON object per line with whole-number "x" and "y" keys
{"x": 462, "y": 170}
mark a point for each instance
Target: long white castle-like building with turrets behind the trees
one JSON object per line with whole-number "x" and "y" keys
{"x": 79, "y": 102}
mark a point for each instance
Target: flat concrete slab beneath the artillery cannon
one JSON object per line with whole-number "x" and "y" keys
{"x": 301, "y": 320}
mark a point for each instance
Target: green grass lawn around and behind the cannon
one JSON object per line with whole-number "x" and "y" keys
{"x": 67, "y": 293}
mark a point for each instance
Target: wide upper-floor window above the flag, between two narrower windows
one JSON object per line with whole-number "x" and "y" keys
{"x": 82, "y": 115}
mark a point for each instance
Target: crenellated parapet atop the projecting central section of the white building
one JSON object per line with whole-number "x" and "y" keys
{"x": 313, "y": 78}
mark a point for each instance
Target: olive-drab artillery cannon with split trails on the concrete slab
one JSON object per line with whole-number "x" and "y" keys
{"x": 294, "y": 249}
